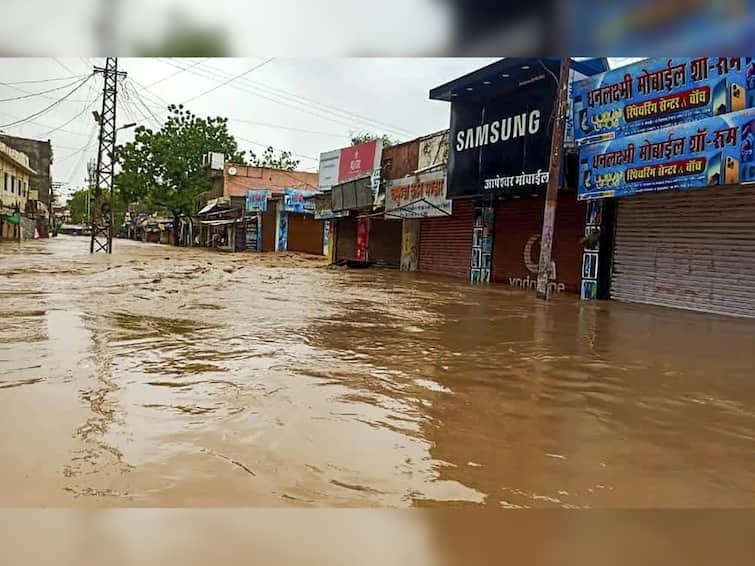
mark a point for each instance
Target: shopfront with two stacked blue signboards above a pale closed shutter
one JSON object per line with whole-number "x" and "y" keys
{"x": 671, "y": 197}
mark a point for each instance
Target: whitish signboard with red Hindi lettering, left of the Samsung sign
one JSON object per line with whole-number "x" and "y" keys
{"x": 422, "y": 196}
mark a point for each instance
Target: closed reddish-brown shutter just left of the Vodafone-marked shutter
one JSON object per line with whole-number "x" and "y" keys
{"x": 445, "y": 244}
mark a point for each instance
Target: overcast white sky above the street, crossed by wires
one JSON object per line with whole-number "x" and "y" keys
{"x": 305, "y": 106}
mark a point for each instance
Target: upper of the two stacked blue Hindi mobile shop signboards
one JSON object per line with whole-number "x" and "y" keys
{"x": 658, "y": 93}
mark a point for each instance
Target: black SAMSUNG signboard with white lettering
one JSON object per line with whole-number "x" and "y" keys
{"x": 501, "y": 145}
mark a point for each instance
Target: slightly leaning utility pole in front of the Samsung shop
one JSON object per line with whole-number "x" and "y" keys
{"x": 554, "y": 176}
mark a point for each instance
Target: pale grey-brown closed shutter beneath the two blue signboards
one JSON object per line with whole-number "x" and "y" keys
{"x": 687, "y": 249}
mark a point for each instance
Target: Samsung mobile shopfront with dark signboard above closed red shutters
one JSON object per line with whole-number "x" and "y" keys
{"x": 499, "y": 156}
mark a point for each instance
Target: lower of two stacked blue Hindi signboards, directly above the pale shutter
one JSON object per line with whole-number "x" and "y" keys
{"x": 714, "y": 151}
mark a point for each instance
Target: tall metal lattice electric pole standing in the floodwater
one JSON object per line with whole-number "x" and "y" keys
{"x": 101, "y": 209}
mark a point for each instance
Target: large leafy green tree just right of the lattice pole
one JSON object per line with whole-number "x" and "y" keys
{"x": 164, "y": 169}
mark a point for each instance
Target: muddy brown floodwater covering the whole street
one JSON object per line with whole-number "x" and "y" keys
{"x": 164, "y": 377}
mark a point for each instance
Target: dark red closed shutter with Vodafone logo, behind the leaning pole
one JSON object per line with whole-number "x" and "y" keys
{"x": 516, "y": 248}
